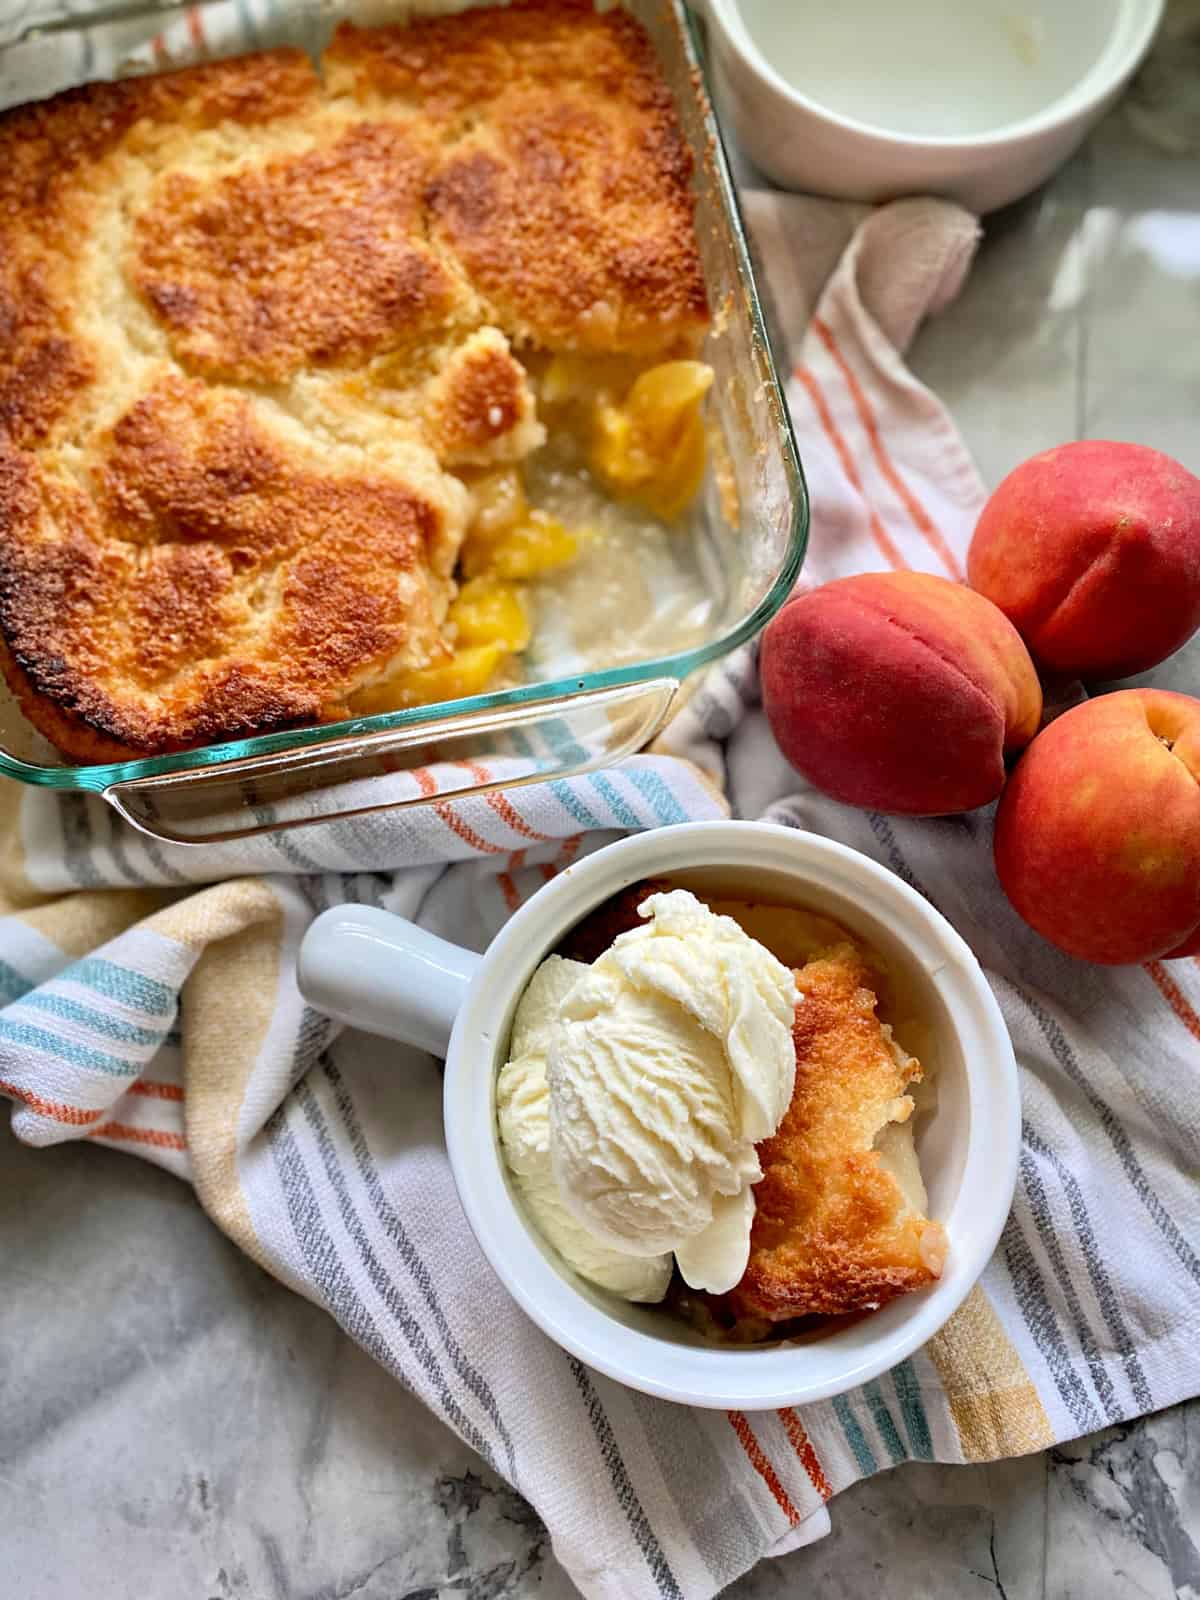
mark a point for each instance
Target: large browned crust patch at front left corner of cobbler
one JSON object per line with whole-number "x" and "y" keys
{"x": 215, "y": 586}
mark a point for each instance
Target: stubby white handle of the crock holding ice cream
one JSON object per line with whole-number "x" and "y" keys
{"x": 385, "y": 975}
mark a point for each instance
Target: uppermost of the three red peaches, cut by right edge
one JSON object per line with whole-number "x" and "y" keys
{"x": 1094, "y": 553}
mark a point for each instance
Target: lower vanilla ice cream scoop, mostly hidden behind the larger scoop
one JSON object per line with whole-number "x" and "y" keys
{"x": 524, "y": 1116}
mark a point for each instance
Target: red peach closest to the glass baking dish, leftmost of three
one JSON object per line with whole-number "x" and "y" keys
{"x": 900, "y": 692}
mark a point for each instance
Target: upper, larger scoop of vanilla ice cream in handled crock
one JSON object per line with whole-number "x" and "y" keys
{"x": 671, "y": 1057}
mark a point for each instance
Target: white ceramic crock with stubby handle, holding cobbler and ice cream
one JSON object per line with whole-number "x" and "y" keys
{"x": 393, "y": 978}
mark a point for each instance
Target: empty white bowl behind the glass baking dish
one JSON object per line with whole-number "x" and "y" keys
{"x": 873, "y": 100}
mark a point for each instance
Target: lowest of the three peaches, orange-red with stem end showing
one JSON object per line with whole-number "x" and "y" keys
{"x": 1098, "y": 831}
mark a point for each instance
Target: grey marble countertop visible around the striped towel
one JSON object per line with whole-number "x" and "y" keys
{"x": 177, "y": 1425}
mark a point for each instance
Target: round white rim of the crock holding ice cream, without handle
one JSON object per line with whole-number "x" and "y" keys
{"x": 713, "y": 1377}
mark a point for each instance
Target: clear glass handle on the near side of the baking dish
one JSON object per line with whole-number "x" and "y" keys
{"x": 417, "y": 764}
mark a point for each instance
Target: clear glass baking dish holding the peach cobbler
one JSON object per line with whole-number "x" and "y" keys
{"x": 737, "y": 553}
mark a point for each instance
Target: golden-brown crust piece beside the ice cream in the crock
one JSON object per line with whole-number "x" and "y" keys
{"x": 833, "y": 1233}
